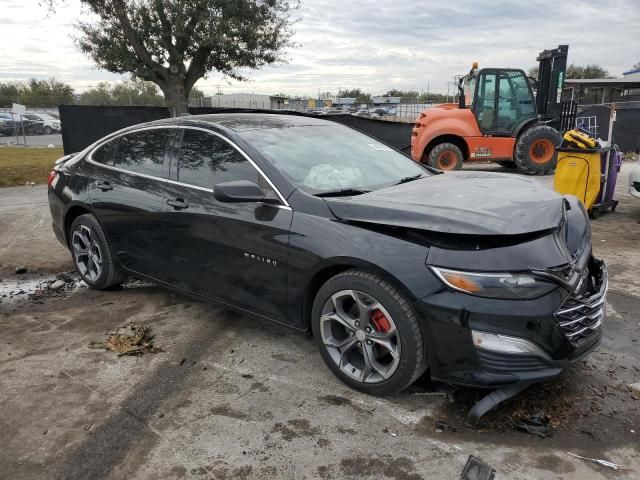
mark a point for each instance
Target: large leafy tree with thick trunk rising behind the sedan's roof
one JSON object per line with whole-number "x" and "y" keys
{"x": 174, "y": 43}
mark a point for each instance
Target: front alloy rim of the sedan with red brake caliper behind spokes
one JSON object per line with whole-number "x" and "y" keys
{"x": 360, "y": 336}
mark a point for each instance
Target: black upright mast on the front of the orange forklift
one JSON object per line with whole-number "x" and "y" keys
{"x": 551, "y": 72}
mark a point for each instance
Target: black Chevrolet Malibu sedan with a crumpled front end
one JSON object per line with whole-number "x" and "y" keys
{"x": 483, "y": 279}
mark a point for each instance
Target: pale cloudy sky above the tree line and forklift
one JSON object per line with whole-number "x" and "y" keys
{"x": 375, "y": 45}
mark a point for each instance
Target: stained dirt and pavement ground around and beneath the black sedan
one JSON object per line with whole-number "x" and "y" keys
{"x": 230, "y": 397}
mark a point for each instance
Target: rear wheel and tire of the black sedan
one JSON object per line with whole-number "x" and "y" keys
{"x": 91, "y": 254}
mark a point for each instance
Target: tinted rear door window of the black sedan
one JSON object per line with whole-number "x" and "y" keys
{"x": 143, "y": 151}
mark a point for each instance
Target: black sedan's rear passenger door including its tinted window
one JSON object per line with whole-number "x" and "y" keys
{"x": 127, "y": 196}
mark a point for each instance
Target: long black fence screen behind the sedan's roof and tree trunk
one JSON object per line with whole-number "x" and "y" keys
{"x": 82, "y": 124}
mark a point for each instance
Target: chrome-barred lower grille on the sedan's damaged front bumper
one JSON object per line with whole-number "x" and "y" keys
{"x": 580, "y": 316}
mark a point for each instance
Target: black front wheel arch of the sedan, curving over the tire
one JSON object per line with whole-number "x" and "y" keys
{"x": 332, "y": 267}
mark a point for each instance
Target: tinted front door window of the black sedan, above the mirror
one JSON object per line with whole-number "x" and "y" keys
{"x": 206, "y": 160}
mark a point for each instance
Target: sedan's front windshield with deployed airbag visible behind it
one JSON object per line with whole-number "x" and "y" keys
{"x": 324, "y": 158}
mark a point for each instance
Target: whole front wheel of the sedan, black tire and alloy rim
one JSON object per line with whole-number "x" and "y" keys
{"x": 367, "y": 333}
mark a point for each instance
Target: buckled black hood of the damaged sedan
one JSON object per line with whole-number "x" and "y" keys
{"x": 473, "y": 203}
